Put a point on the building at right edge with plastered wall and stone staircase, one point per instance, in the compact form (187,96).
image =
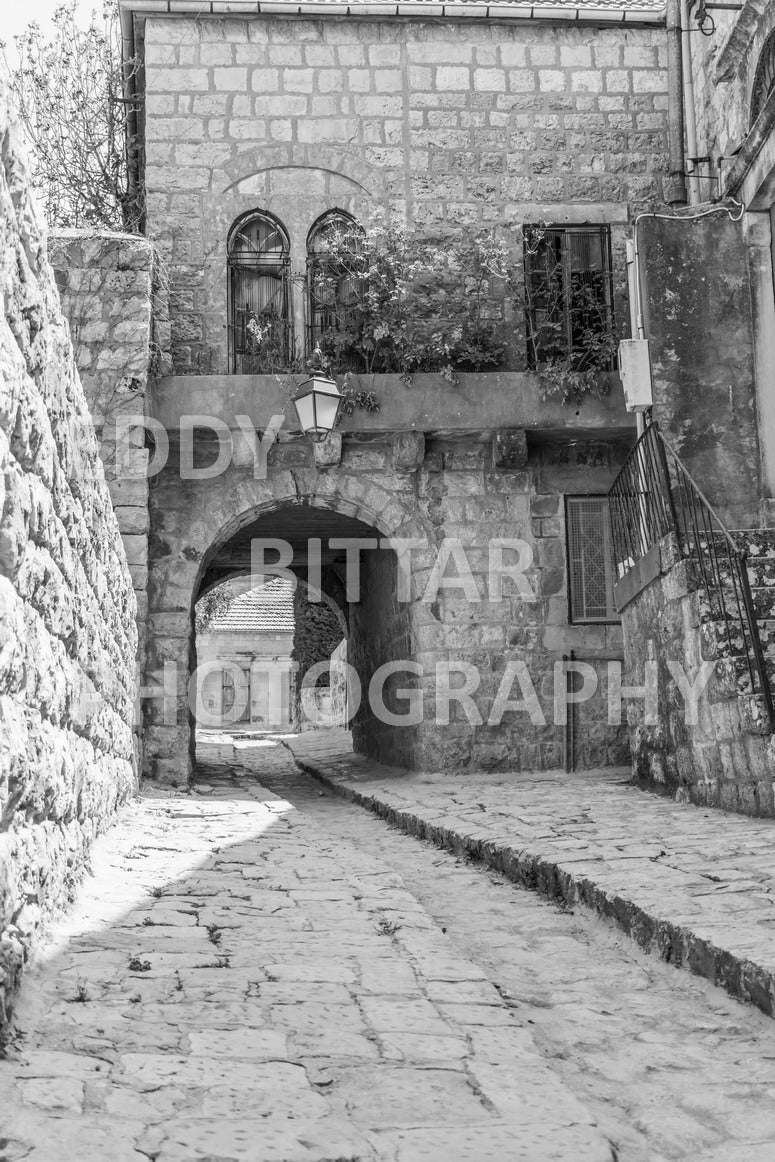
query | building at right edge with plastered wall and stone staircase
(709,313)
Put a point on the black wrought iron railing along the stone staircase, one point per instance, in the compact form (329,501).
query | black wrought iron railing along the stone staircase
(655,496)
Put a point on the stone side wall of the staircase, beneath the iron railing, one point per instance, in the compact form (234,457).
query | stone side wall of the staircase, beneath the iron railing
(727,758)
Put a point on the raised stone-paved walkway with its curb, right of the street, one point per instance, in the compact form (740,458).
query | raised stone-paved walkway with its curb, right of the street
(694,886)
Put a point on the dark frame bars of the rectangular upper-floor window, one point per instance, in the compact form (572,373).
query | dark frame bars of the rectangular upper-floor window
(565,232)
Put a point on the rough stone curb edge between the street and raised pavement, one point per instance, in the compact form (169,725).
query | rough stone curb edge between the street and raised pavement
(676,944)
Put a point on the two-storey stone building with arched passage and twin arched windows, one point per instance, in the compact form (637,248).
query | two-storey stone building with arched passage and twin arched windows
(261,130)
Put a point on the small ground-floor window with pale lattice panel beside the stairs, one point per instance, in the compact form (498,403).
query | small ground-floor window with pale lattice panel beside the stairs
(591,560)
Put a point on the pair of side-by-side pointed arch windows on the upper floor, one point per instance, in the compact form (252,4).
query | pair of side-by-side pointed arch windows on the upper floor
(262,333)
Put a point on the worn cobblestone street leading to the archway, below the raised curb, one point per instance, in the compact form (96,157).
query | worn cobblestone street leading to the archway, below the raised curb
(242,980)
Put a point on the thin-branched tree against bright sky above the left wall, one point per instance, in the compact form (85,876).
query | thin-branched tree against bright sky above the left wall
(69,92)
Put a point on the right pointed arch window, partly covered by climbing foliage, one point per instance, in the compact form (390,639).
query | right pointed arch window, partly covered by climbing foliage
(336,281)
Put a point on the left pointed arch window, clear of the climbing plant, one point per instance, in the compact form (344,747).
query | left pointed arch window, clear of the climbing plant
(261,333)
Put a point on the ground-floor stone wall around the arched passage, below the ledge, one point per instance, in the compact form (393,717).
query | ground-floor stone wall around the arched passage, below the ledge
(450,491)
